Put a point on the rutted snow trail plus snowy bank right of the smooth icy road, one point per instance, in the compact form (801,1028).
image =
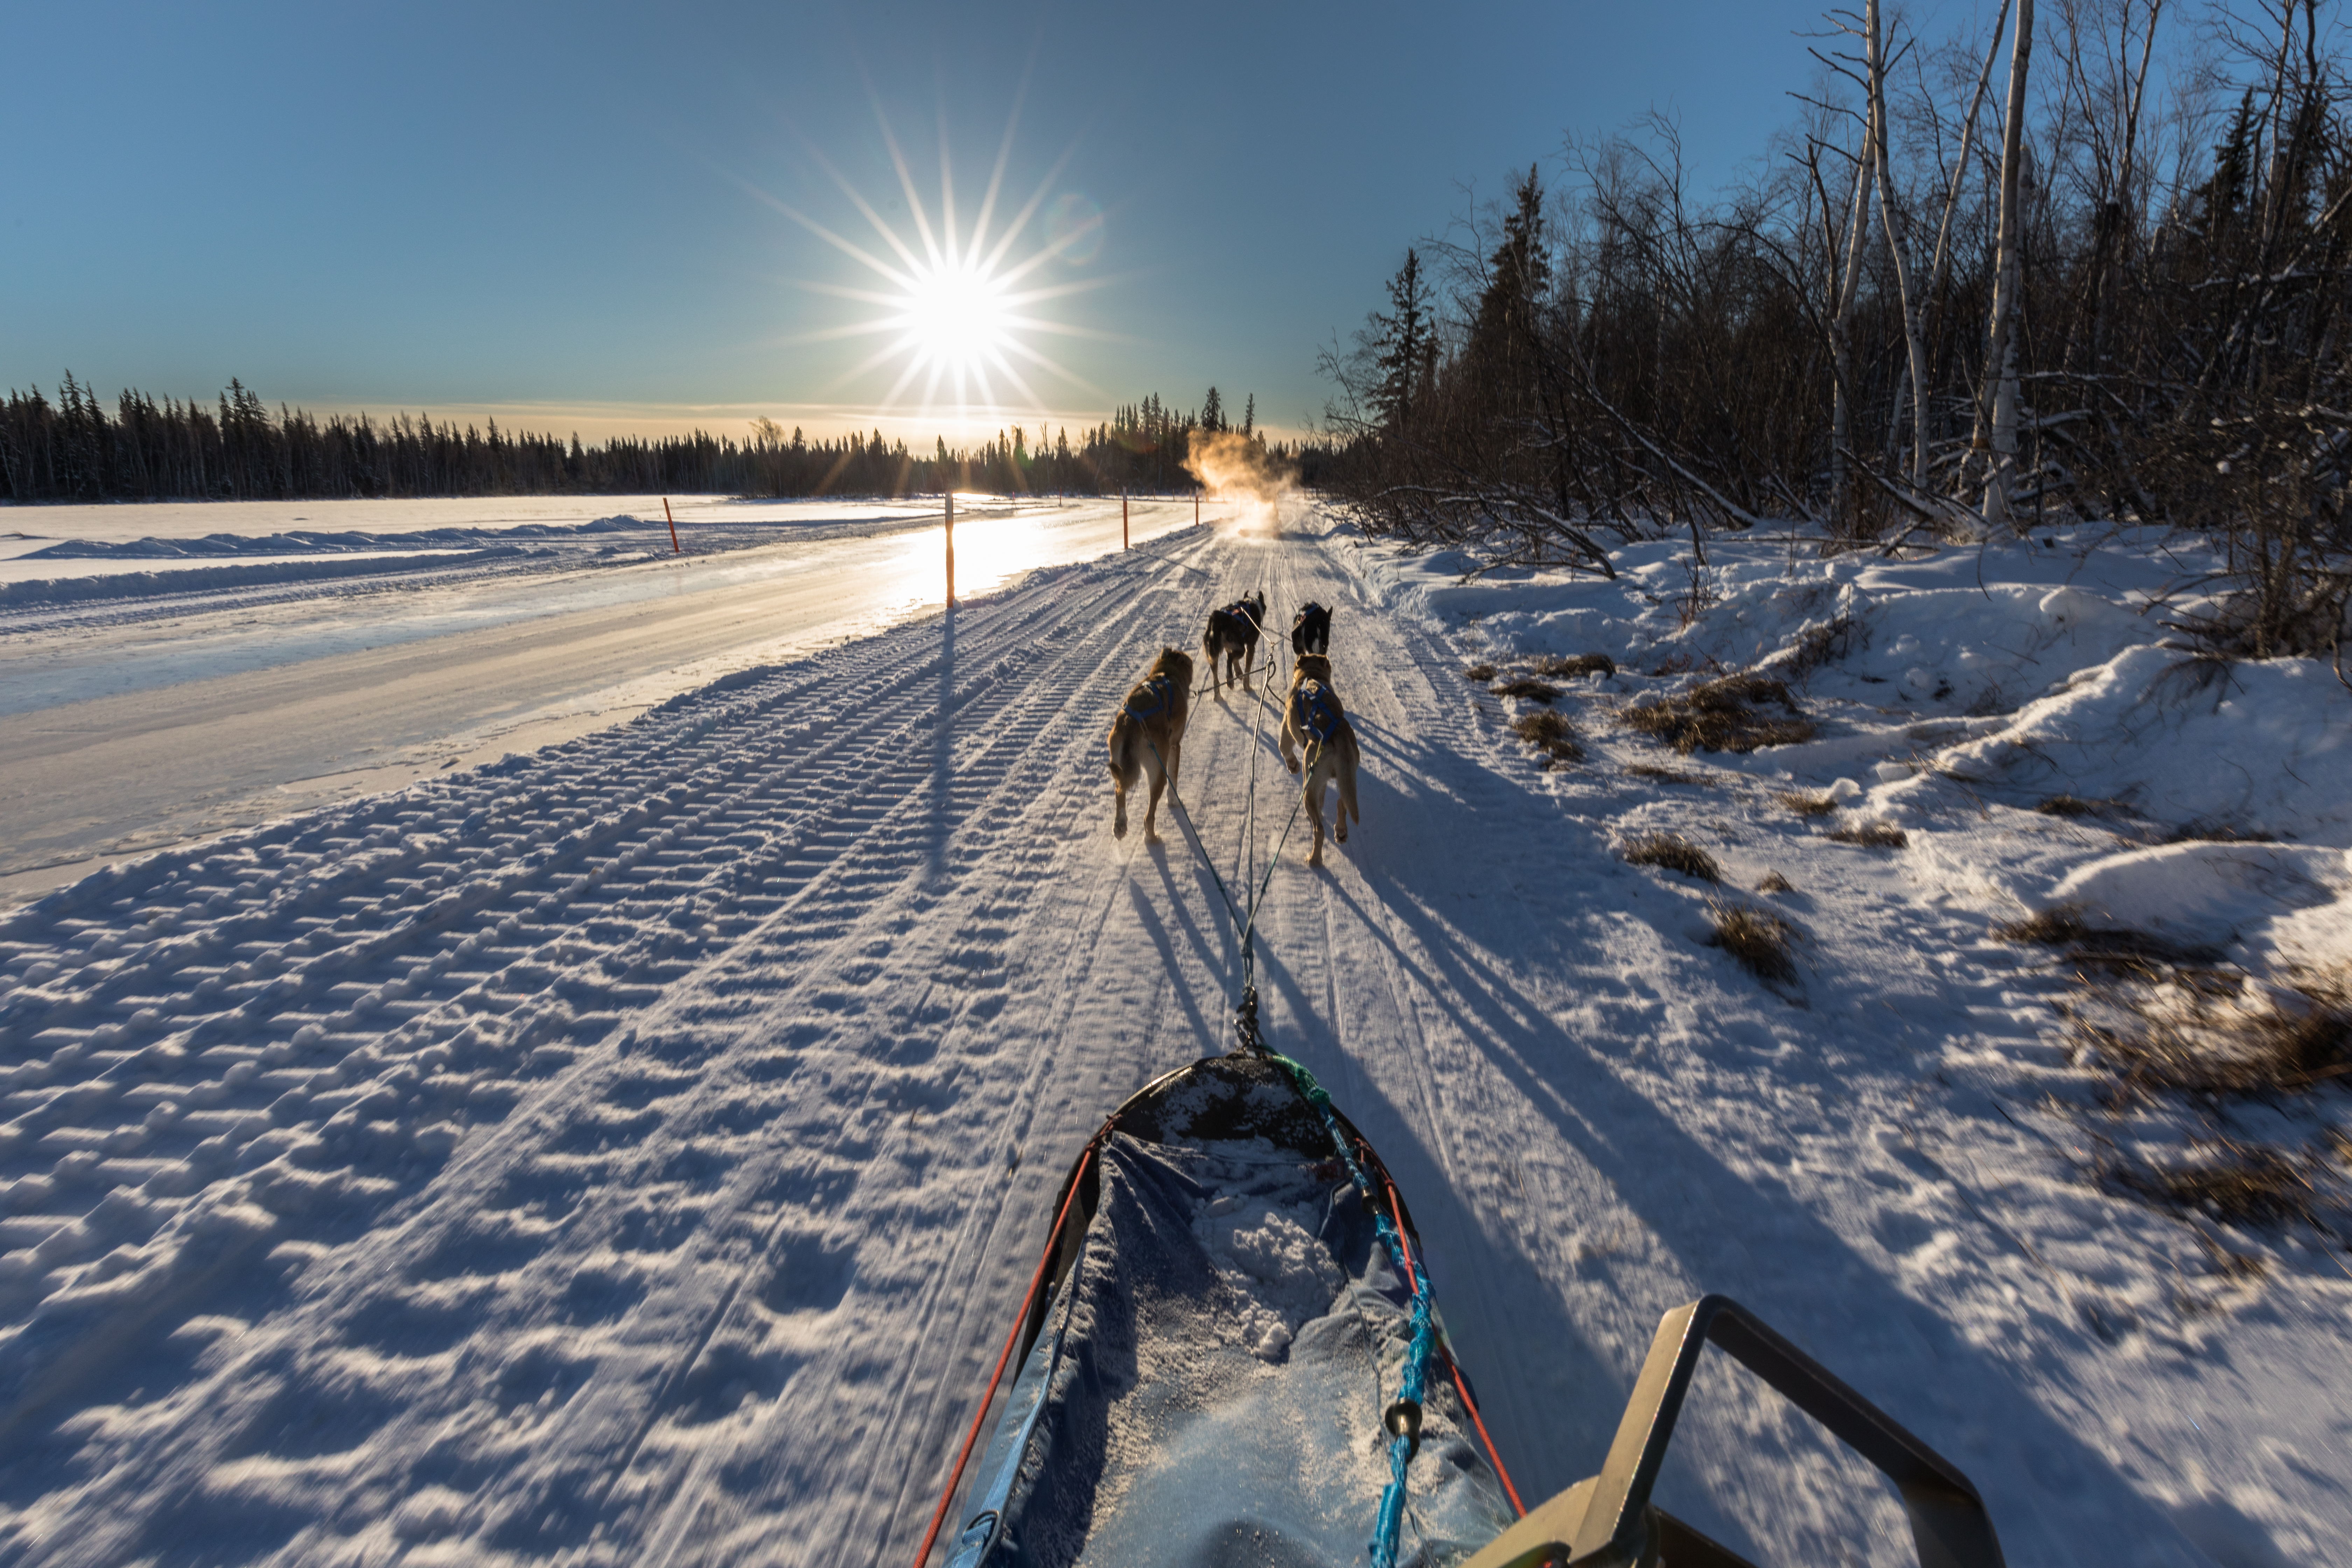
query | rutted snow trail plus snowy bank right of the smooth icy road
(634,1153)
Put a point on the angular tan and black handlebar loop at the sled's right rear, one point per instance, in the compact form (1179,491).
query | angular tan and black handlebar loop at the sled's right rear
(1608,1520)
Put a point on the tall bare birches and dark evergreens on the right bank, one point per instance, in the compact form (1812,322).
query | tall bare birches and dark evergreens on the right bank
(1986,281)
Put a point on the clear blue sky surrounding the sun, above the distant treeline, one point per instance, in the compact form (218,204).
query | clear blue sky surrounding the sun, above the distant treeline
(570,215)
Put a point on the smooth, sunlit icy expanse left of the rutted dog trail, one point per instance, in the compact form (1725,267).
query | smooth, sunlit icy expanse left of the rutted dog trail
(149,713)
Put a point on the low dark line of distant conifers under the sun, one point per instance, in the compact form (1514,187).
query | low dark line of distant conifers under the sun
(236,450)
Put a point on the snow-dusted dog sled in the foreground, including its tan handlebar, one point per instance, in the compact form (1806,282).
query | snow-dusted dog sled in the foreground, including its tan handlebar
(1220,1367)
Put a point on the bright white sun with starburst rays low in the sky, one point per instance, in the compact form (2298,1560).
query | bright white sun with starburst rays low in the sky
(958,302)
